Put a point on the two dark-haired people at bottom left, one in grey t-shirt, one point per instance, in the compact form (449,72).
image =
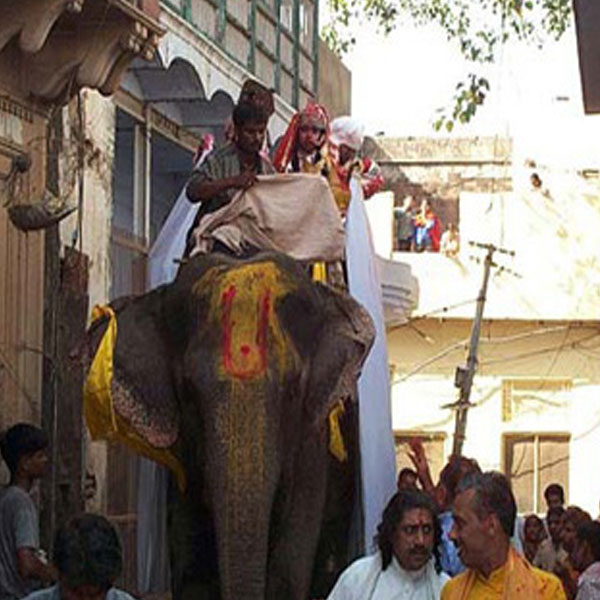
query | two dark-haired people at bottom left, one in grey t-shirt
(86,555)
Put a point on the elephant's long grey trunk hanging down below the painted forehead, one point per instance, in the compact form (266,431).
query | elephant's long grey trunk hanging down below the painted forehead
(243,475)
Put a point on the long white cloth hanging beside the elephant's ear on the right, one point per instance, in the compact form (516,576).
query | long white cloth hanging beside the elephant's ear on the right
(378,460)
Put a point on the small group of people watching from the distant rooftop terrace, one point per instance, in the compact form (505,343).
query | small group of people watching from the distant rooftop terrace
(420,230)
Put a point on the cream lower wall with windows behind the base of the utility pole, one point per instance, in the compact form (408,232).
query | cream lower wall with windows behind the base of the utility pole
(425,353)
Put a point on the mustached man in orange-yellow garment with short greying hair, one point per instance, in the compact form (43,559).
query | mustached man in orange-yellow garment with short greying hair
(484,512)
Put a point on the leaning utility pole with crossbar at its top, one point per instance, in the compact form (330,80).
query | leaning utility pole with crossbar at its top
(464,375)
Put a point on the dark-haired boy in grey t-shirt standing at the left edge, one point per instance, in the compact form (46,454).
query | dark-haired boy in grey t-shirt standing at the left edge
(23,448)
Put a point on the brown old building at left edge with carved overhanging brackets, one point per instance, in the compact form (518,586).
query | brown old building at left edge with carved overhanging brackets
(49,52)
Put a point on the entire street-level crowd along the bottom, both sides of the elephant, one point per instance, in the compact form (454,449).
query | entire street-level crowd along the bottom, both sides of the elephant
(457,539)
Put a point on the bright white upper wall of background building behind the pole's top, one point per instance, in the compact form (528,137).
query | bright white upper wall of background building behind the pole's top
(553,271)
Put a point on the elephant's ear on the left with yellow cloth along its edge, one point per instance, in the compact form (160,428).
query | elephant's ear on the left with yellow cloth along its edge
(140,408)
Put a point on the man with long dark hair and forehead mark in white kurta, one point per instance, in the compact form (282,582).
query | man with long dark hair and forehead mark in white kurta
(404,567)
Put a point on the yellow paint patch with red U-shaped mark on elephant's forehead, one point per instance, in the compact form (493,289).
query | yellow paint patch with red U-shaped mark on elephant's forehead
(242,304)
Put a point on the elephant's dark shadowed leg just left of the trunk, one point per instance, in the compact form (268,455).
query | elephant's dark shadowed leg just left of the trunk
(194,571)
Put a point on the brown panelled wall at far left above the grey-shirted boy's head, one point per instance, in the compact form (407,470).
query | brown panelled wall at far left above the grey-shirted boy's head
(22,130)
